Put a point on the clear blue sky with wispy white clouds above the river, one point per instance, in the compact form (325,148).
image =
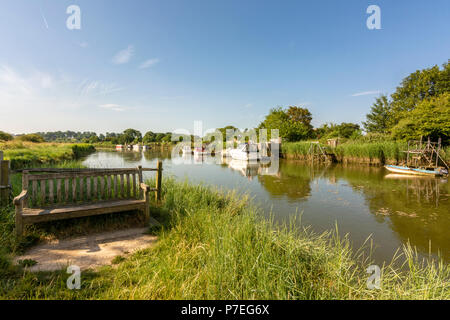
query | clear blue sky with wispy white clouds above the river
(161,65)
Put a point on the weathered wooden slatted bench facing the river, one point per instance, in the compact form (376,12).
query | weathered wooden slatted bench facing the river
(63,194)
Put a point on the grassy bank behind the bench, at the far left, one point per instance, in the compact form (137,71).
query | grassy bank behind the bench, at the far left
(27,154)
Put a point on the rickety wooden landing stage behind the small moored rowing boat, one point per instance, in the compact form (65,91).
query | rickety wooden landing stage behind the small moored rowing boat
(425,155)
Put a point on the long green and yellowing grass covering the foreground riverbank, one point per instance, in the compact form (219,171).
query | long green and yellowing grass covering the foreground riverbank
(215,245)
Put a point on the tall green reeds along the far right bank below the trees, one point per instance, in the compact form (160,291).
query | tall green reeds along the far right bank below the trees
(376,152)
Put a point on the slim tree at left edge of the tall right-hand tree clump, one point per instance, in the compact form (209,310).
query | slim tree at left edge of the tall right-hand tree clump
(379,118)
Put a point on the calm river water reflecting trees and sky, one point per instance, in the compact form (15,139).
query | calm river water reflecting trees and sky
(363,201)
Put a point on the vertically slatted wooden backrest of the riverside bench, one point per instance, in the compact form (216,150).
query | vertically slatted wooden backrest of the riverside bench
(90,185)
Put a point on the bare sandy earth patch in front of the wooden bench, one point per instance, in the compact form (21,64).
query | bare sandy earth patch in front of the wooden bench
(87,252)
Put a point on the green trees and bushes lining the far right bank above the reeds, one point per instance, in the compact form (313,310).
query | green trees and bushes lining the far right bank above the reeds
(420,107)
